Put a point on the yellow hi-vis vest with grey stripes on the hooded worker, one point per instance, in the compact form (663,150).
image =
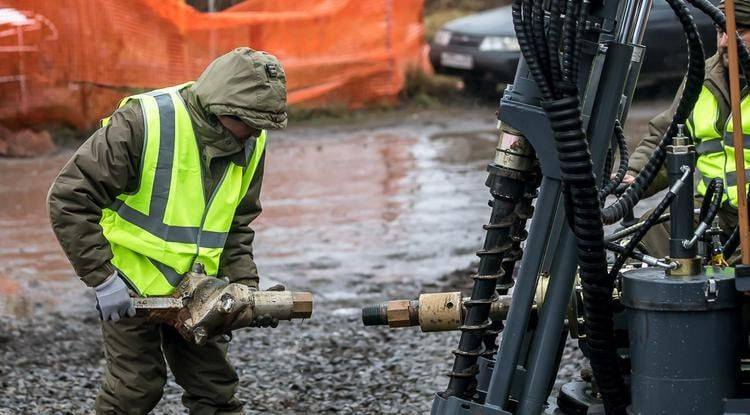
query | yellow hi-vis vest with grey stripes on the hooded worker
(158,232)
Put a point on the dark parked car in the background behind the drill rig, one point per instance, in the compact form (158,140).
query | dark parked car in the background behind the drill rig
(483,50)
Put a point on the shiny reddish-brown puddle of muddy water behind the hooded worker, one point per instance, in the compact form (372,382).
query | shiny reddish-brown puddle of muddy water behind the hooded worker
(340,210)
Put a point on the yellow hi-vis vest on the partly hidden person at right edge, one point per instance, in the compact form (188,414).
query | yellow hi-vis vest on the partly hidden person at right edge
(714,143)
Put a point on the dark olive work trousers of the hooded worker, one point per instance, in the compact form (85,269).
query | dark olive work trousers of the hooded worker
(136,371)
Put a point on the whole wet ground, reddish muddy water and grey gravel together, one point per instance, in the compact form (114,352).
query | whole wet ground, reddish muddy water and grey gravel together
(357,214)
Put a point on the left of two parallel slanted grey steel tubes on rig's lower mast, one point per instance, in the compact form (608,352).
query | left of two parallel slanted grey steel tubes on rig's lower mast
(523,293)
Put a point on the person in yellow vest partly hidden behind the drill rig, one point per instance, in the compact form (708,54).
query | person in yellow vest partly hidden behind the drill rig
(710,126)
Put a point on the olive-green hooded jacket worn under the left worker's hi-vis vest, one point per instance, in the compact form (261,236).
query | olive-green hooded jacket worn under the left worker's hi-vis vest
(245,83)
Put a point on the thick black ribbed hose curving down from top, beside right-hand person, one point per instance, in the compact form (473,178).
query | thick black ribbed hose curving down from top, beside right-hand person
(691,92)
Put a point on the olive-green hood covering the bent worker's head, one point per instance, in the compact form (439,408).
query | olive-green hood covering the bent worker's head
(245,83)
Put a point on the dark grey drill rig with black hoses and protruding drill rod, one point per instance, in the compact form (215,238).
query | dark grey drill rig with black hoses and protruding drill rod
(664,339)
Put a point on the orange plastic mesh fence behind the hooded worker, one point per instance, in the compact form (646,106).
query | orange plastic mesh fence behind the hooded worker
(69,61)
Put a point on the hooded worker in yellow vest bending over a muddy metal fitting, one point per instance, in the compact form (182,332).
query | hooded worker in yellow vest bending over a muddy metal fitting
(171,179)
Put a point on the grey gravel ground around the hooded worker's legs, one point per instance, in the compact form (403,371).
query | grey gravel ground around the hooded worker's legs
(330,364)
